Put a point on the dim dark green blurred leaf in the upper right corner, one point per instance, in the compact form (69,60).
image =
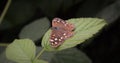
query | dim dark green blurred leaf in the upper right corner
(111,12)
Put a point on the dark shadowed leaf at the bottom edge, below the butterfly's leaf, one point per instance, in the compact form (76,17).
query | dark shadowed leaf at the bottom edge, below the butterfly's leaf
(71,55)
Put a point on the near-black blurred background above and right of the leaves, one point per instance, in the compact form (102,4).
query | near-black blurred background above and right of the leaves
(103,48)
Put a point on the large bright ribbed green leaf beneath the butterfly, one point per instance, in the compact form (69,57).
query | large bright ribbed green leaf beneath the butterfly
(85,28)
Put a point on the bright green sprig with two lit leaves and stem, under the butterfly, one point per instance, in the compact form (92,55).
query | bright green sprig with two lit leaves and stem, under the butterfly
(24,50)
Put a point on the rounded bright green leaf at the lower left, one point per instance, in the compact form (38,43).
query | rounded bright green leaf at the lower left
(22,51)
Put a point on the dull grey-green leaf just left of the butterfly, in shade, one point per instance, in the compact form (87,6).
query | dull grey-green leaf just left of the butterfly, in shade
(36,29)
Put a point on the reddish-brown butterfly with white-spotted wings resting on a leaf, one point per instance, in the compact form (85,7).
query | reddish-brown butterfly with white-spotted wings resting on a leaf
(61,30)
